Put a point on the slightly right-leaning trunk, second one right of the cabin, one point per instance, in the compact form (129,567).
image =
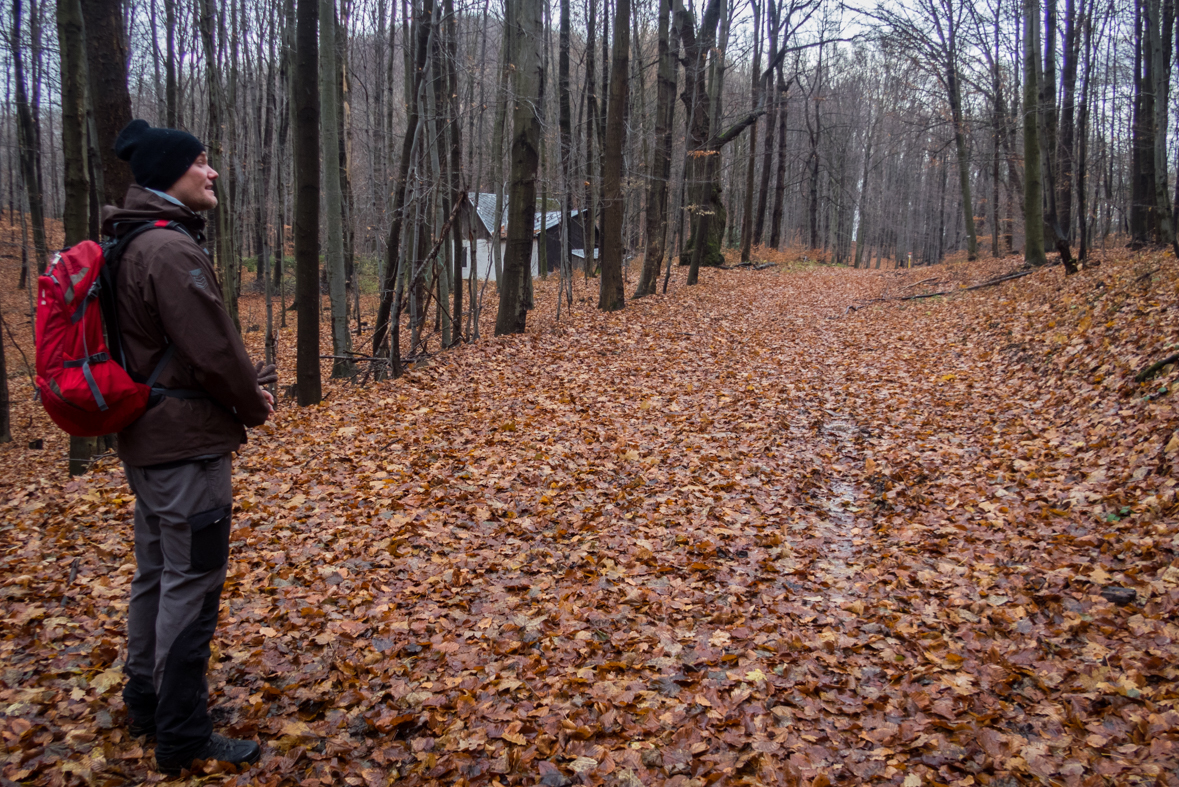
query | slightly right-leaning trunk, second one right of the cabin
(661,160)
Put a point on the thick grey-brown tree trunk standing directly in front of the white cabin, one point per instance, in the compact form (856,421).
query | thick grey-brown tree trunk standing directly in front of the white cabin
(526,23)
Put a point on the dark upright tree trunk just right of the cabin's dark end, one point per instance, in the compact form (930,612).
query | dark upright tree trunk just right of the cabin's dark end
(611,296)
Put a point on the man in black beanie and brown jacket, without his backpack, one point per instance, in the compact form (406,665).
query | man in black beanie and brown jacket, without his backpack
(177,455)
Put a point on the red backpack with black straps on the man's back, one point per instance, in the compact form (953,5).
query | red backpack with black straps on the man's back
(82,378)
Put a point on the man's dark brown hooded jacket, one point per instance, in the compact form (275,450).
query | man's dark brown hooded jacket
(168,292)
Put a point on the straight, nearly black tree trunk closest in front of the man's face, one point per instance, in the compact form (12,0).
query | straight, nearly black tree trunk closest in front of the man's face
(307,202)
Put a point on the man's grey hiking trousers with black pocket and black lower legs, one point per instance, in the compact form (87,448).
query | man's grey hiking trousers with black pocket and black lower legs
(183,515)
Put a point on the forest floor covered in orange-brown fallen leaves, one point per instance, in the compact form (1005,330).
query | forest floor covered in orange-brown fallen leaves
(740,533)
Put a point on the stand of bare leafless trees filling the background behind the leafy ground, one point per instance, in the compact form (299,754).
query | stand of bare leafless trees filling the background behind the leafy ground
(873,148)
